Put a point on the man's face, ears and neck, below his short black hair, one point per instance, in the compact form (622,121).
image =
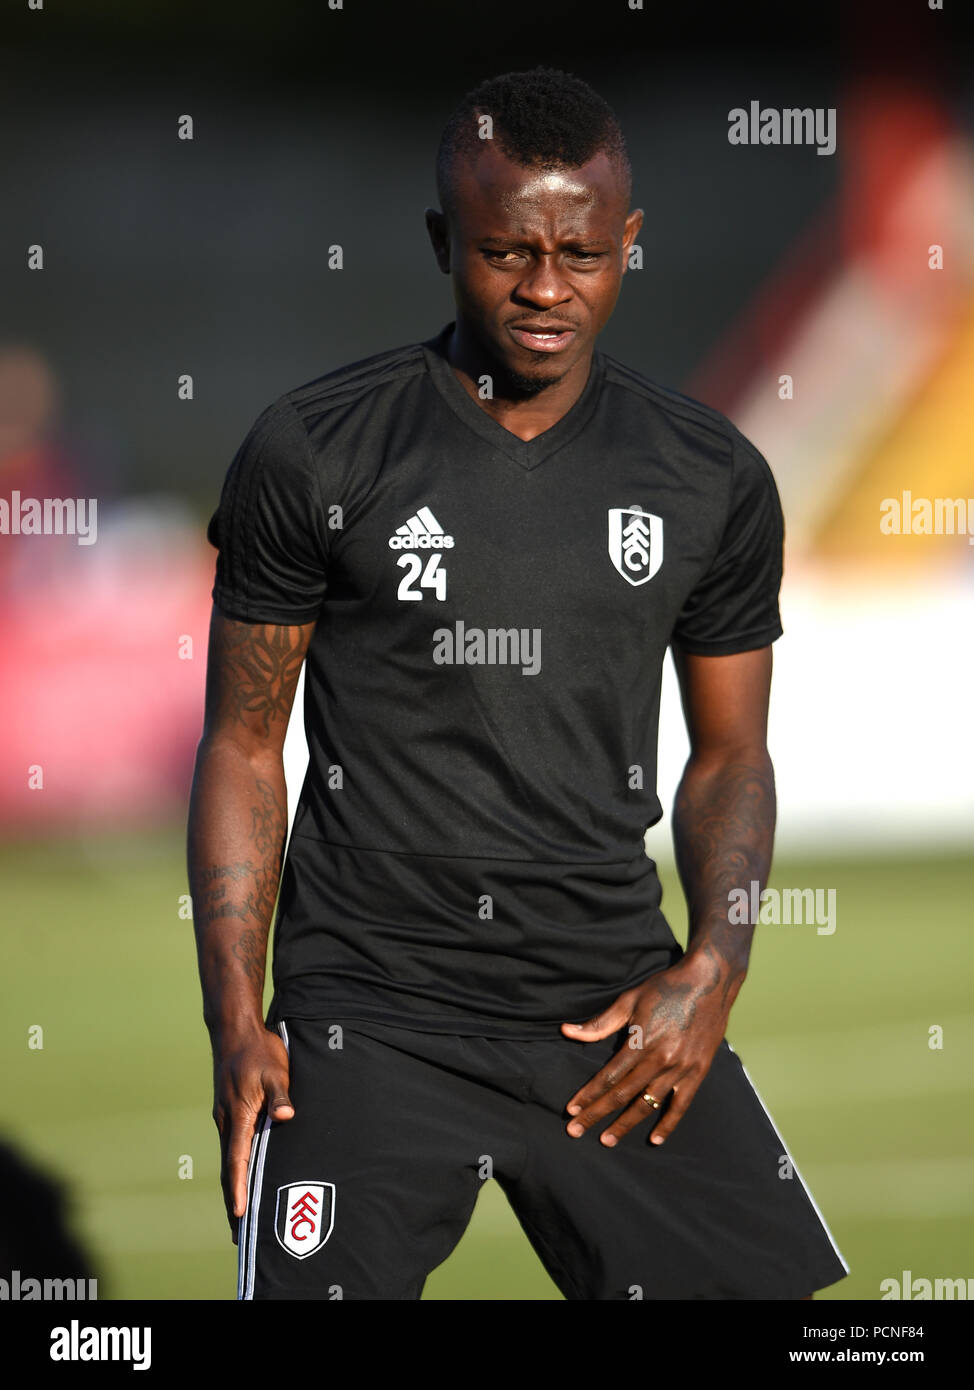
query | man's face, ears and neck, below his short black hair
(531,250)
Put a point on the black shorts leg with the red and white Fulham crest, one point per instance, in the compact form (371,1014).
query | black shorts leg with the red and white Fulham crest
(368,1188)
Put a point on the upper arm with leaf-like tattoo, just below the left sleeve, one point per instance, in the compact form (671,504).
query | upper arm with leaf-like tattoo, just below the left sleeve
(251,682)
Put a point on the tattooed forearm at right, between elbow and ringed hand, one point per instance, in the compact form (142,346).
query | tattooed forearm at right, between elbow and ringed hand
(725,836)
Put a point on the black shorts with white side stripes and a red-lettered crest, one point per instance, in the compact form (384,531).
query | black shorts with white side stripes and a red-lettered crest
(374,1179)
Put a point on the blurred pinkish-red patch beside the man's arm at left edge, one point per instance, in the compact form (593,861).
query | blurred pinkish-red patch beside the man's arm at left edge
(105,664)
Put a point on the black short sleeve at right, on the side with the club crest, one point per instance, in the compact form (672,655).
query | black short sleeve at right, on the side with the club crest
(734,608)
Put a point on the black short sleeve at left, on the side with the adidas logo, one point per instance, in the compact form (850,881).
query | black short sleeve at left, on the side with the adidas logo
(272,564)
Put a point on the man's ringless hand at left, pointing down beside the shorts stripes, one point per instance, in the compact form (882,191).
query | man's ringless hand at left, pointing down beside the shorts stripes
(251,1077)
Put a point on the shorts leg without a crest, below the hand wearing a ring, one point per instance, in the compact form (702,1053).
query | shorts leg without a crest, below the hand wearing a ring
(719,1211)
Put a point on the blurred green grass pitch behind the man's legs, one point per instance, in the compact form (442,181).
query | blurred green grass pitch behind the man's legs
(833,1029)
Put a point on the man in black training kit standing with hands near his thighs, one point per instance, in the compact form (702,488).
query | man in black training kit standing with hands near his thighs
(484,546)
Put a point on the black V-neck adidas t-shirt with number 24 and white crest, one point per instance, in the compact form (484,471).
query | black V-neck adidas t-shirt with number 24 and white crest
(483,685)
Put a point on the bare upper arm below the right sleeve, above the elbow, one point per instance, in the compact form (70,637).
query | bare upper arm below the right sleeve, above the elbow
(726,700)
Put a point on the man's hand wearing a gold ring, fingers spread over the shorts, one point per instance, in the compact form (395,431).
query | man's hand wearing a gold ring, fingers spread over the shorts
(676,1022)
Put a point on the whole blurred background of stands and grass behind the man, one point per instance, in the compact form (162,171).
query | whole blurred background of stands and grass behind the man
(160,291)
